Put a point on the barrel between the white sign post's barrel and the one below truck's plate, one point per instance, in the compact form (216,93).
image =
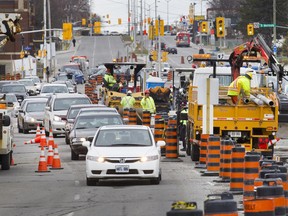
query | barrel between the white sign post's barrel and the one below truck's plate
(225,159)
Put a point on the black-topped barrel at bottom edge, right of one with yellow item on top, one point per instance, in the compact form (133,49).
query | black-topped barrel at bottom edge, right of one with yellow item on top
(221,205)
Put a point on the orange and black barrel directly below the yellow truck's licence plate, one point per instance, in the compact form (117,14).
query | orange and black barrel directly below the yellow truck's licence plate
(237,168)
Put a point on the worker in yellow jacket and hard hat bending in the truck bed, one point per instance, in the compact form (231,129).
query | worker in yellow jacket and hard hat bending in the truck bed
(241,87)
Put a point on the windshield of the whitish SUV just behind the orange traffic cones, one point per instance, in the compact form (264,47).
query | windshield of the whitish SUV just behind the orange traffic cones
(65,103)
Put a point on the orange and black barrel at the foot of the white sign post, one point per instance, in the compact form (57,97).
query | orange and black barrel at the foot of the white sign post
(213,154)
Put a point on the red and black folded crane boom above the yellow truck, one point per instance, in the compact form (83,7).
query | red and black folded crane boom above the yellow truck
(256,45)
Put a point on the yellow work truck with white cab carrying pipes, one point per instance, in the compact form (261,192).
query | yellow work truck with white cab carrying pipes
(252,123)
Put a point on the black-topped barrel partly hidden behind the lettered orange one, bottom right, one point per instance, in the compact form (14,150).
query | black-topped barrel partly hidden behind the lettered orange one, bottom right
(274,192)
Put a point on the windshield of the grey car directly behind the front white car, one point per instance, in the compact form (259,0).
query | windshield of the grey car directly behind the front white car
(92,121)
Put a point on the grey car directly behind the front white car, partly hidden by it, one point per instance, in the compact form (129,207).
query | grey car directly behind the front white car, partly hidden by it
(85,127)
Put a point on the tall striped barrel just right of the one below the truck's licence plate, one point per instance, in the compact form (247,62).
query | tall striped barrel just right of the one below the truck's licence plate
(251,170)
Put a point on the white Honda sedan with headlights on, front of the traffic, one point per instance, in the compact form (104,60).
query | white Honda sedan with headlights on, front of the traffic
(123,151)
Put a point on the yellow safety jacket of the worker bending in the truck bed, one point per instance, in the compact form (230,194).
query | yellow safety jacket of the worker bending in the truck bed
(239,85)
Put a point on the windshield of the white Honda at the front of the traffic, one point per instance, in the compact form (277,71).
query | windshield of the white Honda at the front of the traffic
(123,137)
